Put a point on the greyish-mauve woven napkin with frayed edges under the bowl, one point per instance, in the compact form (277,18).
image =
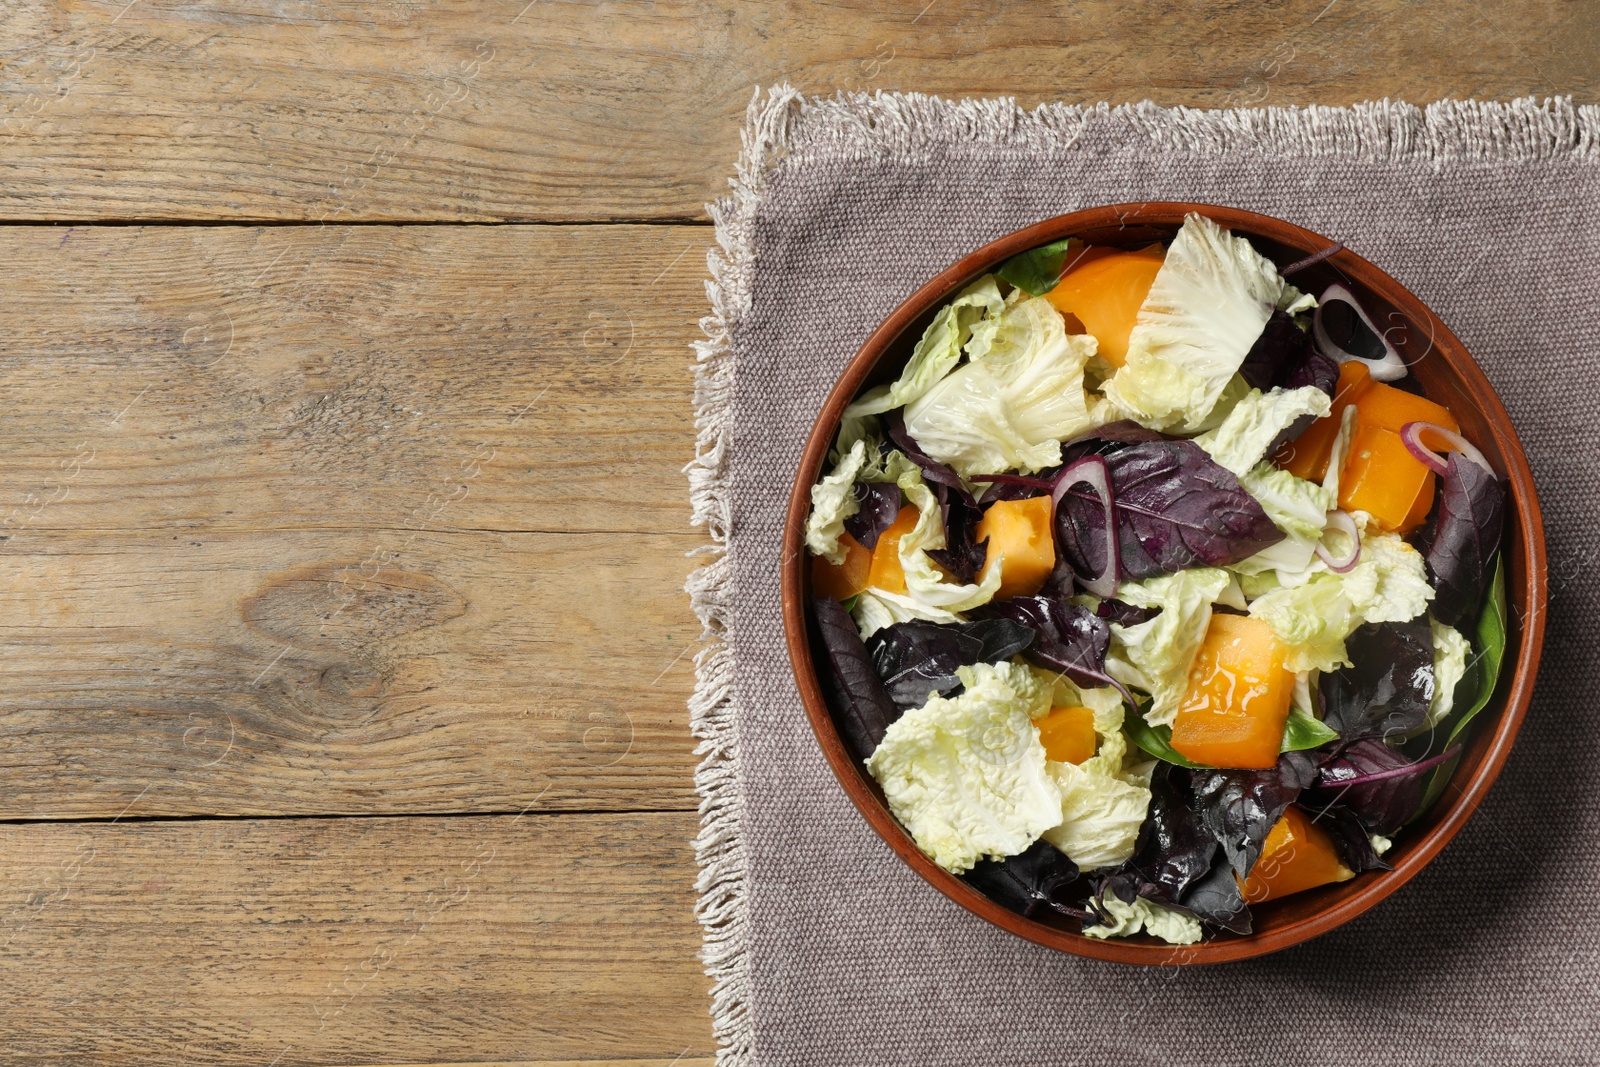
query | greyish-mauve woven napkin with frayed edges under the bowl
(826,949)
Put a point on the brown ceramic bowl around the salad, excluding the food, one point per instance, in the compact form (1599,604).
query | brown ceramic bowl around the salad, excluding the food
(1446,372)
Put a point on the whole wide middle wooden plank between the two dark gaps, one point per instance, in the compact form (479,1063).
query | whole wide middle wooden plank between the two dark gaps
(402,532)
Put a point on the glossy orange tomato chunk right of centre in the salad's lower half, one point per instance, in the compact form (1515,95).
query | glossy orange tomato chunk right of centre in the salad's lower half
(1239,697)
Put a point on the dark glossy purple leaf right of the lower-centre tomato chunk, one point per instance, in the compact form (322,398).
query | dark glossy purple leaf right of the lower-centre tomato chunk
(1388,689)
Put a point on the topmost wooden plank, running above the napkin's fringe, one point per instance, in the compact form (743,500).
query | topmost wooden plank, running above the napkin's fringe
(572,110)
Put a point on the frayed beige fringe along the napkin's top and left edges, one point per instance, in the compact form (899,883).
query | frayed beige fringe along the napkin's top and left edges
(911,127)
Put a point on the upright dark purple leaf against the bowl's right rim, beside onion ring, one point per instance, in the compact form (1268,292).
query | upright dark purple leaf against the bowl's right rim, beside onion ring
(1462,538)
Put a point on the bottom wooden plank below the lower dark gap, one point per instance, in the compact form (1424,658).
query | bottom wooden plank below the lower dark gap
(353,941)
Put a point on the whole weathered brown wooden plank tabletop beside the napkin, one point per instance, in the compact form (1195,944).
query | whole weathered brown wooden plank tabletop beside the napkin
(345,391)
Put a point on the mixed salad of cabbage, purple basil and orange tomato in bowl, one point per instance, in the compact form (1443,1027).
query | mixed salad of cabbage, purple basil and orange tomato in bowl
(1154,589)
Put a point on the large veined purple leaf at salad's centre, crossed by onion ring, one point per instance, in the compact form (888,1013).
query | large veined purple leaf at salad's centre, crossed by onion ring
(1177,508)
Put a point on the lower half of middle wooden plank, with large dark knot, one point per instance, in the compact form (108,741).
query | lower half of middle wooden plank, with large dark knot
(321,673)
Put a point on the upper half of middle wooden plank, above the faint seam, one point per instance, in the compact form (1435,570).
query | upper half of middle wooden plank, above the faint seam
(404,378)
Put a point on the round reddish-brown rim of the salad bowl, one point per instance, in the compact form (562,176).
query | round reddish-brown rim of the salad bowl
(1527,527)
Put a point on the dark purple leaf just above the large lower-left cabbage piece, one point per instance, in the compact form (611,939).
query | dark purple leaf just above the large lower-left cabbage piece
(918,660)
